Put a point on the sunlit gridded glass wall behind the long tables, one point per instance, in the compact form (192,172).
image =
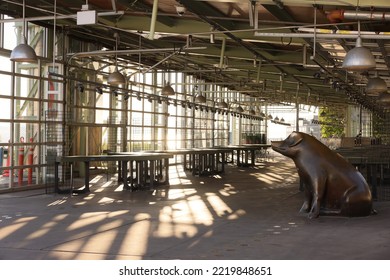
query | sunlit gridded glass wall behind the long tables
(50,109)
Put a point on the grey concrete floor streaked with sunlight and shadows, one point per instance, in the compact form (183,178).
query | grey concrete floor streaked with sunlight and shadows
(246,213)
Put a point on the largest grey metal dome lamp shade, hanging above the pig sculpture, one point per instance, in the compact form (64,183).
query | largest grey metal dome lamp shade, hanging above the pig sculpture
(359,59)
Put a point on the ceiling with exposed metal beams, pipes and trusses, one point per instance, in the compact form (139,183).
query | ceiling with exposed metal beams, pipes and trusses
(271,49)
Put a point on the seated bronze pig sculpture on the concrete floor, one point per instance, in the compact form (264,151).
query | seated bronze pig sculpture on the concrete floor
(332,185)
